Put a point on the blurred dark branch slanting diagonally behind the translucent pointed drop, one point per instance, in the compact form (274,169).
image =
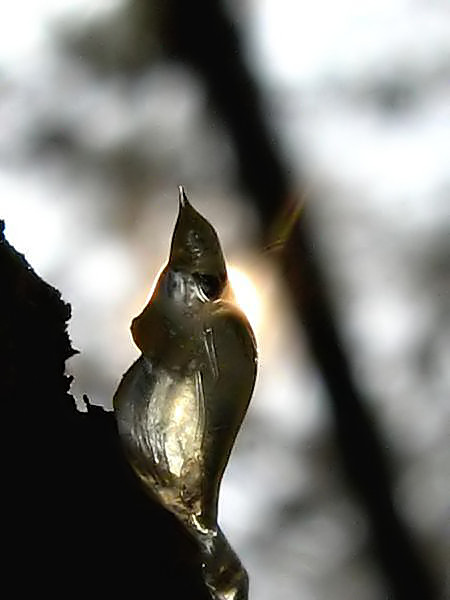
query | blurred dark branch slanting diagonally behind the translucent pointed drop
(203,36)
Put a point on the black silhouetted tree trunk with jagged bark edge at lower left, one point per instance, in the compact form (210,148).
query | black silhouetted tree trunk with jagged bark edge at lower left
(75,519)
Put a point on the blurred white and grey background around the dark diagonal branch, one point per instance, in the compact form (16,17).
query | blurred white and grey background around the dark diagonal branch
(103,114)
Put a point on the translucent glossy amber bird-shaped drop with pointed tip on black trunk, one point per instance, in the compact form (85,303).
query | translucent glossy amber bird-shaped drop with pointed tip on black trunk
(180,405)
